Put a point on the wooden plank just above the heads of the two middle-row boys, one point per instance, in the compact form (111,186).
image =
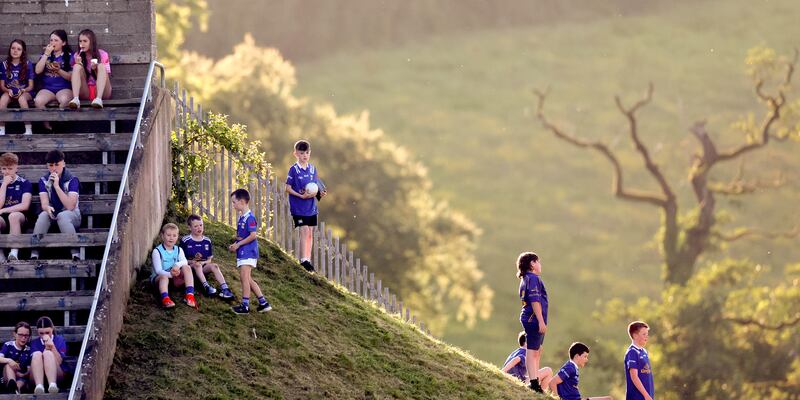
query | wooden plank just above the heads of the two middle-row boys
(76,142)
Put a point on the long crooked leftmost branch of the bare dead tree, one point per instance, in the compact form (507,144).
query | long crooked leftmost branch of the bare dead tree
(617,179)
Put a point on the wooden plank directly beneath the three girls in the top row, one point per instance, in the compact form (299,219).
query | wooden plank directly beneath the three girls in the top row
(83,114)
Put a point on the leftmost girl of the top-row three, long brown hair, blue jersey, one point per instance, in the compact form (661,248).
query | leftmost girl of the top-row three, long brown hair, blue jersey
(17,80)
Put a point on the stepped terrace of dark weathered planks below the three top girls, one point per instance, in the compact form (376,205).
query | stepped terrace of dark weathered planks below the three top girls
(95,143)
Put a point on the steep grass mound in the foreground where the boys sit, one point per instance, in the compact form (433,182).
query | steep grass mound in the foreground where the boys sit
(319,342)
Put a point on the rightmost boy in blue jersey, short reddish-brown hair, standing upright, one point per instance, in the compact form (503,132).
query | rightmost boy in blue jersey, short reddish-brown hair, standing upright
(638,373)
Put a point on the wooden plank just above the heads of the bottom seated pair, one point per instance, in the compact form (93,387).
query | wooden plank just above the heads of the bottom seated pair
(46,301)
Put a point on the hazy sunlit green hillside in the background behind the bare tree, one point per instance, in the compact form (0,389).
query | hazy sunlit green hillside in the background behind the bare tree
(462,104)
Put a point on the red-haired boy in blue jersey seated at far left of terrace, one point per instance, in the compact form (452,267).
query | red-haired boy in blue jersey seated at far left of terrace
(15,200)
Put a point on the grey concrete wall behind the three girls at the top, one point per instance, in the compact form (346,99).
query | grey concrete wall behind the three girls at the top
(124,28)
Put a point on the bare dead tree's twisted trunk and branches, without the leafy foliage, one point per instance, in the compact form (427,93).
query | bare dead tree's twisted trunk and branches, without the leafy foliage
(683,245)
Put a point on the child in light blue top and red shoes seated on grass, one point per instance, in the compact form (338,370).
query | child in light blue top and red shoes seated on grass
(169,264)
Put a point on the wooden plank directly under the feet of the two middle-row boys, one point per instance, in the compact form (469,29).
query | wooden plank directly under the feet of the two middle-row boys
(26,269)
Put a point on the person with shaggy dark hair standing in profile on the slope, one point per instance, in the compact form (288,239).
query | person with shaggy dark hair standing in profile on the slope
(534,311)
